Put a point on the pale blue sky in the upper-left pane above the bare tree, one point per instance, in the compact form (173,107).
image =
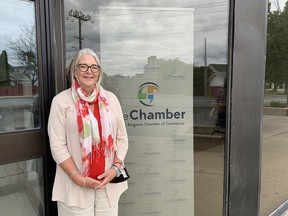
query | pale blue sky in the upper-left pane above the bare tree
(13,15)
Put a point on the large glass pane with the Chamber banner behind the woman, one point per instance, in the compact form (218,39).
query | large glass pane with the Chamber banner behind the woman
(166,61)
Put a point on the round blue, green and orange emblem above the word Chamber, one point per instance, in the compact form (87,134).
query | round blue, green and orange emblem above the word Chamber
(146,93)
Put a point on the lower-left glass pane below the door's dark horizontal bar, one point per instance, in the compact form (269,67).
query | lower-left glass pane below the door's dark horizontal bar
(21,188)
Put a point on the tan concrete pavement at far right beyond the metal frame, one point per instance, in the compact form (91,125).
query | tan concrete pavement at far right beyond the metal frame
(274,187)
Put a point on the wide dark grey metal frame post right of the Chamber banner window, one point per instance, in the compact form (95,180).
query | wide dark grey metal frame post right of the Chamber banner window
(247,50)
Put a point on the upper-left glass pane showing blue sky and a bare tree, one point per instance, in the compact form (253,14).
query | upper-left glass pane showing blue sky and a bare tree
(19,99)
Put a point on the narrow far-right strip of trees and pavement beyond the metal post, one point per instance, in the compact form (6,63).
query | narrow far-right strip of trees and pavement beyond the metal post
(274,190)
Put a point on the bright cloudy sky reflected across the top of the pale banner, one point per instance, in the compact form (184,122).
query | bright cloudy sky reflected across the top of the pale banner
(128,35)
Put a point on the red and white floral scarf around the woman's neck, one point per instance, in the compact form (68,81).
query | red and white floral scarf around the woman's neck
(88,125)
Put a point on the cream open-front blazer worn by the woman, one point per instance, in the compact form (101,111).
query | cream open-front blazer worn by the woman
(64,143)
